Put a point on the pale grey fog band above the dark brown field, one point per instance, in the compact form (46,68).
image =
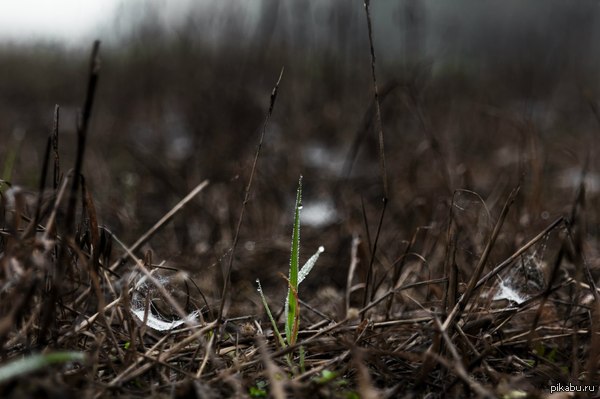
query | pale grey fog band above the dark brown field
(549,31)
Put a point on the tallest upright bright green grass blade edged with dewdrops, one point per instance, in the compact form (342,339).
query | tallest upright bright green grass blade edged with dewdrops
(291,304)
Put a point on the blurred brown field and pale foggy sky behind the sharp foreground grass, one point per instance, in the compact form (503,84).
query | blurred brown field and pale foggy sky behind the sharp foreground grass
(479,95)
